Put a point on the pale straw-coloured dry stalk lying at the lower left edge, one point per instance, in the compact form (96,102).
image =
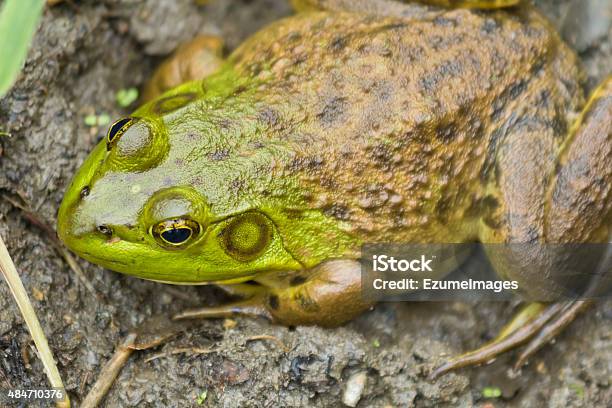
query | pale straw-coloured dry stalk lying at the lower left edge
(7,267)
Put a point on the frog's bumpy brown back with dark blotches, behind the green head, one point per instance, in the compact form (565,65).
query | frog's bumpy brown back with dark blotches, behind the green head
(379,107)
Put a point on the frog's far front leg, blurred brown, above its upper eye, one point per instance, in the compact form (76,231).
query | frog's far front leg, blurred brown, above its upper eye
(193,60)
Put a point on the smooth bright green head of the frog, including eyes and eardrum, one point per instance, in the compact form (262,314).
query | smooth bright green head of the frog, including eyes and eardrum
(190,189)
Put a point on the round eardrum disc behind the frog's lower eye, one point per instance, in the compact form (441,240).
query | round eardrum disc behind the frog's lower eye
(246,236)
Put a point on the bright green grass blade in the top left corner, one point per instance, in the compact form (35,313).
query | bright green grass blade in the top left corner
(18,22)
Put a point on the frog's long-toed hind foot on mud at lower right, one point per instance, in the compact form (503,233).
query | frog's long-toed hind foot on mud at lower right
(536,325)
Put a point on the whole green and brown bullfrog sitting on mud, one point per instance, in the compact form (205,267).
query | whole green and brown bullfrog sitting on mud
(347,123)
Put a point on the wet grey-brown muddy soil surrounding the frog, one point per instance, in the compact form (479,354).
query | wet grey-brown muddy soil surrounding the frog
(83,53)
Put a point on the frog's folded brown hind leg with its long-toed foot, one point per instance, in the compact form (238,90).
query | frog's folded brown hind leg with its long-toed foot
(574,205)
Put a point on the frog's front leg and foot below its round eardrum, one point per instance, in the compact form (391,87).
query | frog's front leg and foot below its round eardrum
(328,295)
